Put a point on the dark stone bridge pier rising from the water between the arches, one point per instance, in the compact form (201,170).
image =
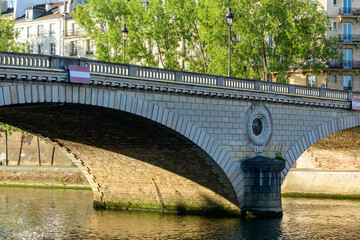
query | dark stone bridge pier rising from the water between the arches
(262,186)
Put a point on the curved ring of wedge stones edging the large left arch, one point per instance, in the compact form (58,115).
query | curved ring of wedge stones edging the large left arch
(111,98)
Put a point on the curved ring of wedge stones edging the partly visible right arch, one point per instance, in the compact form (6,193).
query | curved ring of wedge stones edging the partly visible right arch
(314,135)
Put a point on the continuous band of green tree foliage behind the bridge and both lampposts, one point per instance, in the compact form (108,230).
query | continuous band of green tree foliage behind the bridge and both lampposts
(267,35)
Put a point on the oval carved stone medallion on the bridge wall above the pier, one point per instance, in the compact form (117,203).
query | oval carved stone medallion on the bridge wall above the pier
(258,127)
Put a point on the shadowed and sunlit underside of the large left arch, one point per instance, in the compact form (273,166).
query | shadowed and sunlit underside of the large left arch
(136,162)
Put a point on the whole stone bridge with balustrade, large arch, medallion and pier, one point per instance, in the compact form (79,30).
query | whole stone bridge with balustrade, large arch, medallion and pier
(170,140)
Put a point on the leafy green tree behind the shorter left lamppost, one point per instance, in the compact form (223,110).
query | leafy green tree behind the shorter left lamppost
(154,34)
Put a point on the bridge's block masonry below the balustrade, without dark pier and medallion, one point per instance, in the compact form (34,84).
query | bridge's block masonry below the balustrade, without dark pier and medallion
(147,141)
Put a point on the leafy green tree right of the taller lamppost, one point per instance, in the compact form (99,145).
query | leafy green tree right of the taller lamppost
(282,37)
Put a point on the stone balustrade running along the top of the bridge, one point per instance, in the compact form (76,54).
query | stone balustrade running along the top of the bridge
(117,70)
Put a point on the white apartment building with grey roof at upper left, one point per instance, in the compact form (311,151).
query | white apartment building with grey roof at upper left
(49,29)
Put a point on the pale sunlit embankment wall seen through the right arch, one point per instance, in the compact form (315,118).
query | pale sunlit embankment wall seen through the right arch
(323,182)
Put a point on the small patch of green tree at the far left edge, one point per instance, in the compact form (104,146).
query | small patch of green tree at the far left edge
(8,36)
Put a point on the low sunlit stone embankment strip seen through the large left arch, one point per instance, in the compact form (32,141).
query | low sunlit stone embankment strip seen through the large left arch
(42,176)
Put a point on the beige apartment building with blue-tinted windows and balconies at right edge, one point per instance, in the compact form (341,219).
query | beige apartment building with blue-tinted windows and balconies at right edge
(340,74)
